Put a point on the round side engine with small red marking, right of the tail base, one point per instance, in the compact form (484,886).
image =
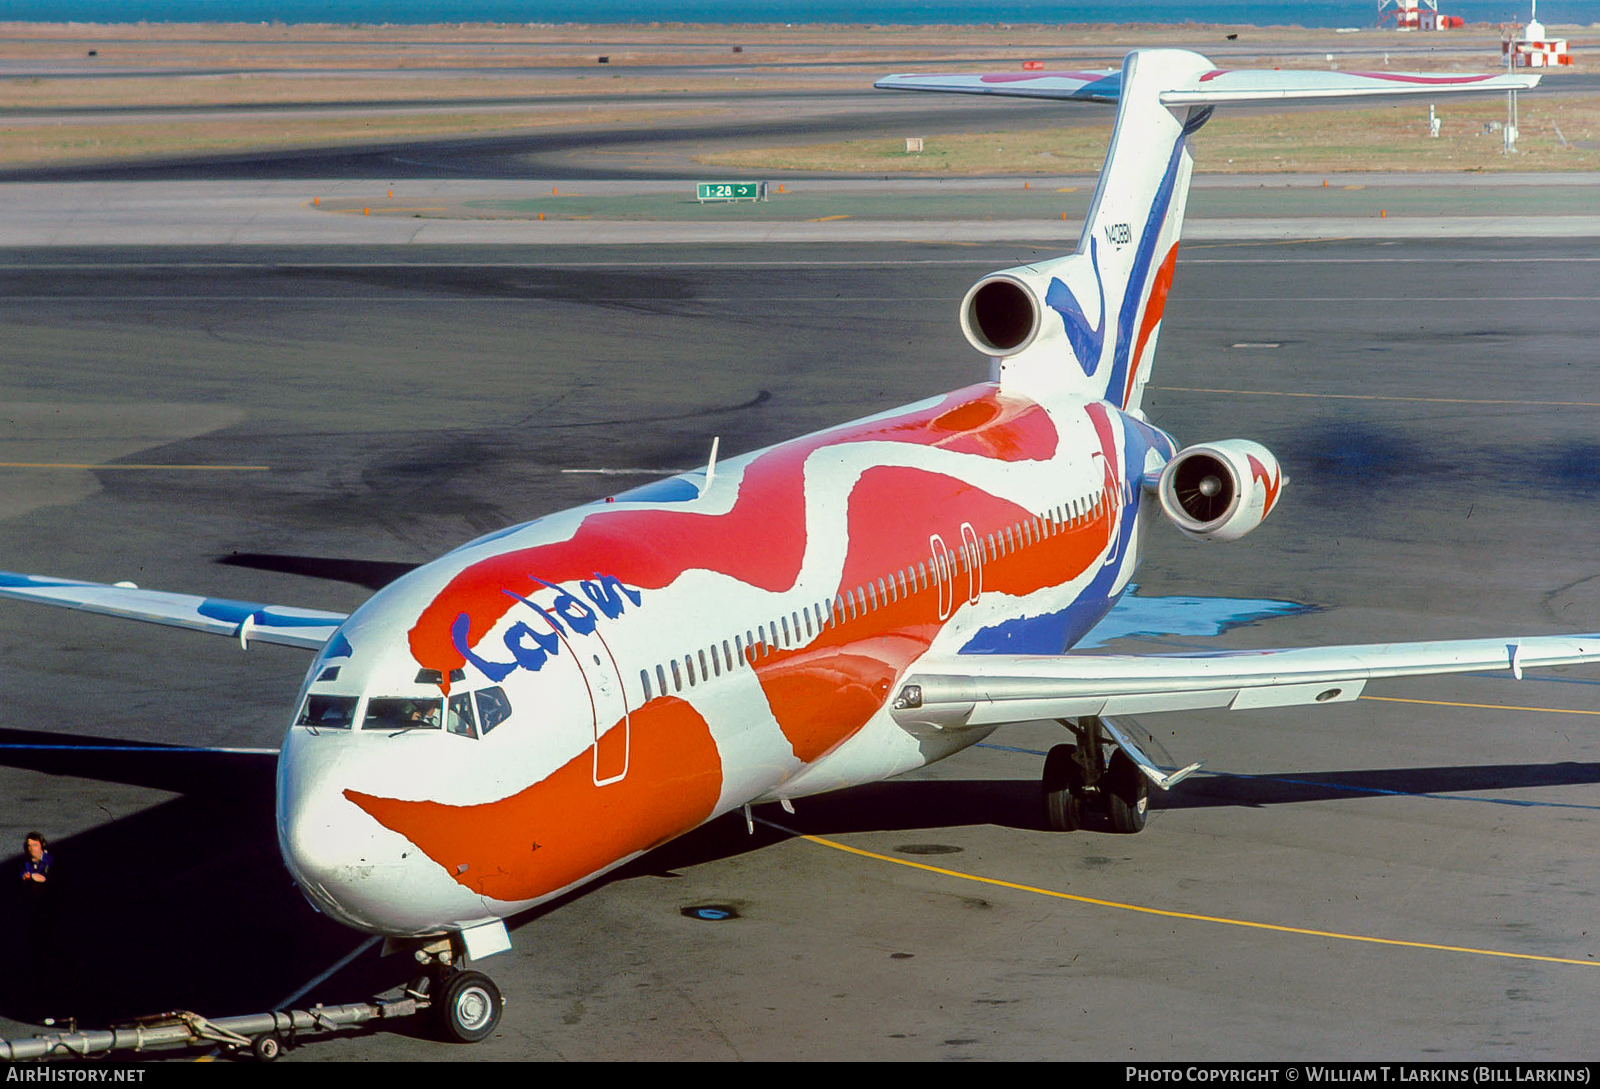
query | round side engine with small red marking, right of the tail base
(1222,492)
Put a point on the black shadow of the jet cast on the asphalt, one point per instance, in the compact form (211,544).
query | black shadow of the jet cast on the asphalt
(188,904)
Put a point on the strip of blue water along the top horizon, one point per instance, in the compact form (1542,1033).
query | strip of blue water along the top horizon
(1308,14)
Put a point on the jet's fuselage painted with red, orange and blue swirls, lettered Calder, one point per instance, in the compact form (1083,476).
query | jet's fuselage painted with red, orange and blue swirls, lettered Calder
(689,648)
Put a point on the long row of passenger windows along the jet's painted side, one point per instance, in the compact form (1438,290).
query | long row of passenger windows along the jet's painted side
(710,663)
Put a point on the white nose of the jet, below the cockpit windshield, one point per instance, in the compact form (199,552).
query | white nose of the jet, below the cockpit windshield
(351,868)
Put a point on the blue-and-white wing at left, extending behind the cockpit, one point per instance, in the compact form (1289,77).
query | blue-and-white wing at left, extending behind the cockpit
(246,621)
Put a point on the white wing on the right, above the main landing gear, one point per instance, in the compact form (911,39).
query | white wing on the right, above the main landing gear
(986,690)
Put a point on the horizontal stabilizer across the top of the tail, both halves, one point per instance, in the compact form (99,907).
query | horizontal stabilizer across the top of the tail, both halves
(1212,89)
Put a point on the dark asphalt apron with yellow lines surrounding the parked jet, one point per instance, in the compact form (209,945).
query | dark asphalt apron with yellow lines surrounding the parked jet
(1412,876)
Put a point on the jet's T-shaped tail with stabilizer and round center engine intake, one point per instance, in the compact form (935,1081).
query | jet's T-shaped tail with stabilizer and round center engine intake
(1087,322)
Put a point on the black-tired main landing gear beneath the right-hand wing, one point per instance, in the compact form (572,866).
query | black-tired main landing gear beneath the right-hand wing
(1081,780)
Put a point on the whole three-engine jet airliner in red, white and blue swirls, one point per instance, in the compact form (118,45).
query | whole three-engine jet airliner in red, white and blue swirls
(551,701)
